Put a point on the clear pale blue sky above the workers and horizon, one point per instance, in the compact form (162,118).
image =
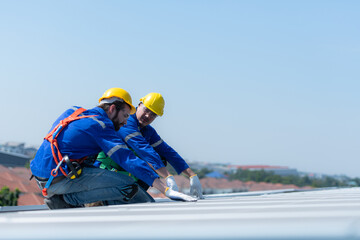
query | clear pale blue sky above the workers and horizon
(245,82)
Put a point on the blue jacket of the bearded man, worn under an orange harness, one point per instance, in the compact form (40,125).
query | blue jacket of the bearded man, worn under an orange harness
(87,137)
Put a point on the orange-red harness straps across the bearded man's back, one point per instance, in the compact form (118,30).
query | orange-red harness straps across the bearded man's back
(52,138)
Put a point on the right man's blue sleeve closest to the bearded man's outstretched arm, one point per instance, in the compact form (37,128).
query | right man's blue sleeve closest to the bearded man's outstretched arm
(135,140)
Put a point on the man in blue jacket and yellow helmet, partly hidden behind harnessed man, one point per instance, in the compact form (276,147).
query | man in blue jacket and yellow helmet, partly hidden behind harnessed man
(143,139)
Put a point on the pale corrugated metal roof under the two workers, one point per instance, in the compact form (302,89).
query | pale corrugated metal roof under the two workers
(322,214)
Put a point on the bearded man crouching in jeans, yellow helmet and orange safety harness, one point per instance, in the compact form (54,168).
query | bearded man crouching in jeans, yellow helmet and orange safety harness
(63,168)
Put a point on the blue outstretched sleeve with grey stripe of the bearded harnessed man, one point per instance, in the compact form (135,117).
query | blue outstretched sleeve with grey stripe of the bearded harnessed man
(115,148)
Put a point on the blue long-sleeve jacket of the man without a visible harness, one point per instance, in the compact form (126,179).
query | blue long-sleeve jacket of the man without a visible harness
(149,146)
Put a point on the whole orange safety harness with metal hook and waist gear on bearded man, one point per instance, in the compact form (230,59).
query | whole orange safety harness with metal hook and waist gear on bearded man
(73,165)
